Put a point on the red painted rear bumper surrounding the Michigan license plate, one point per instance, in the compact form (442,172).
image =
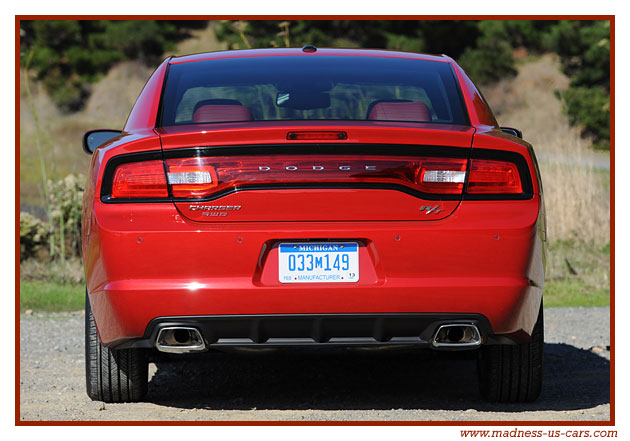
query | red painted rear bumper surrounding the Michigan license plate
(150,264)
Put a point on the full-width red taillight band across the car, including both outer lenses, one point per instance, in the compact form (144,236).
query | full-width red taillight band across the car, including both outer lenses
(202,177)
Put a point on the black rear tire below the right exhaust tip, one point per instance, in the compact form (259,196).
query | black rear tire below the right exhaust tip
(513,373)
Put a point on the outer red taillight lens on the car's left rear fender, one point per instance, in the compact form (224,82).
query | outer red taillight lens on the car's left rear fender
(139,180)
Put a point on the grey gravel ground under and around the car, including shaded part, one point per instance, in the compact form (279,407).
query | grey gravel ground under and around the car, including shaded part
(307,385)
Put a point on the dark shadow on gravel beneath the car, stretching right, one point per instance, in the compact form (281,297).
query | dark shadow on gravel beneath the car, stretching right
(352,379)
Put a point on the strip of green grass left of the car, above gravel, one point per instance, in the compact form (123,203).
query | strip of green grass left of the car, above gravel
(51,296)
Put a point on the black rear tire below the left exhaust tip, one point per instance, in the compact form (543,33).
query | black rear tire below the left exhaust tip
(112,376)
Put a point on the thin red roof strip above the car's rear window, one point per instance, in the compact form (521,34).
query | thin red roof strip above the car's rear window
(275,52)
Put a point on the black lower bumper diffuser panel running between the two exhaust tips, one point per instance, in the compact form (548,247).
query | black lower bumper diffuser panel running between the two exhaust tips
(281,330)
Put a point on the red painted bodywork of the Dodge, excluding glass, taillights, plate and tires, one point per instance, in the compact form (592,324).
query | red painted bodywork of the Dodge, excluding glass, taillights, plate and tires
(147,260)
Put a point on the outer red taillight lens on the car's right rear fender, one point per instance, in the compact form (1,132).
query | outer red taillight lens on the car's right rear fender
(494,177)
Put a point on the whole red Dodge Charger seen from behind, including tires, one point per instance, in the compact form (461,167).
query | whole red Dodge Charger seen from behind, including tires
(312,197)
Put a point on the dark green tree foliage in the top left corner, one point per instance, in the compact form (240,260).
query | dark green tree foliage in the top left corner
(68,55)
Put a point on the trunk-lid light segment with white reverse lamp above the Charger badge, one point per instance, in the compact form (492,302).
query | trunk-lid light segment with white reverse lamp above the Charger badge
(191,177)
